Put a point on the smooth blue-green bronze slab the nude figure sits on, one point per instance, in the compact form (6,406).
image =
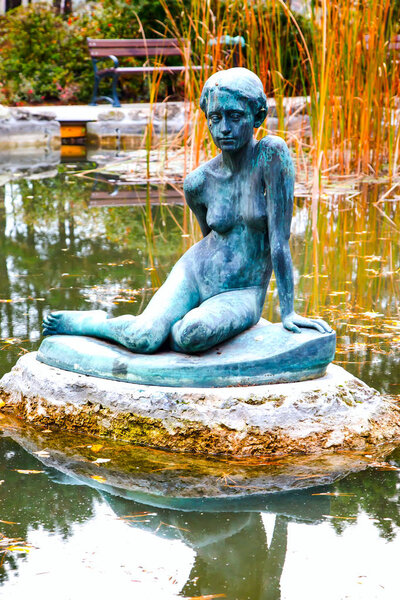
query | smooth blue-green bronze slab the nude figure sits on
(263,354)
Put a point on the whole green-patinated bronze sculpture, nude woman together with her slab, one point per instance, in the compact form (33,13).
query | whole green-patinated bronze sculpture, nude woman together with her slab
(243,202)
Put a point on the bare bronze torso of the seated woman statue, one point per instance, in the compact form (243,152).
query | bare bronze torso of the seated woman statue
(236,252)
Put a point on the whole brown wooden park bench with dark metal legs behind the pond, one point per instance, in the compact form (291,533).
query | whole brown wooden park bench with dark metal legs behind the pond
(158,49)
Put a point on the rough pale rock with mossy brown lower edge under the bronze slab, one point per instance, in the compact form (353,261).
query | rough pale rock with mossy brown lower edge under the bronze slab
(336,411)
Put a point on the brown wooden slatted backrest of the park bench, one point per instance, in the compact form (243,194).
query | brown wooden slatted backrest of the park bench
(138,47)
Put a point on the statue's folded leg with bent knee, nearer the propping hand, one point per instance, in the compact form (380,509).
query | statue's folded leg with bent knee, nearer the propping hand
(217,319)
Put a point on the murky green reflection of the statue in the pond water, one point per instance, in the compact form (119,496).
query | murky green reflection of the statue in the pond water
(234,557)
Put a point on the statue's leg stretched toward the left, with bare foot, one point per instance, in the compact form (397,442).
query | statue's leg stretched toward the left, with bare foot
(144,333)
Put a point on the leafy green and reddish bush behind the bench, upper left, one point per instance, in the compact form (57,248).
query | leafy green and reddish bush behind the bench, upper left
(44,57)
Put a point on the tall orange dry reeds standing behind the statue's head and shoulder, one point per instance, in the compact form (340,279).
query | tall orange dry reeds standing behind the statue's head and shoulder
(340,57)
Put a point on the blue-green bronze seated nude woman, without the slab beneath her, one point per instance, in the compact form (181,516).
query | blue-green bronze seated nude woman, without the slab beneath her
(243,201)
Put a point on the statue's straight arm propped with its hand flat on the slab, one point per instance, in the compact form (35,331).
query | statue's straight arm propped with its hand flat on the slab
(279,183)
